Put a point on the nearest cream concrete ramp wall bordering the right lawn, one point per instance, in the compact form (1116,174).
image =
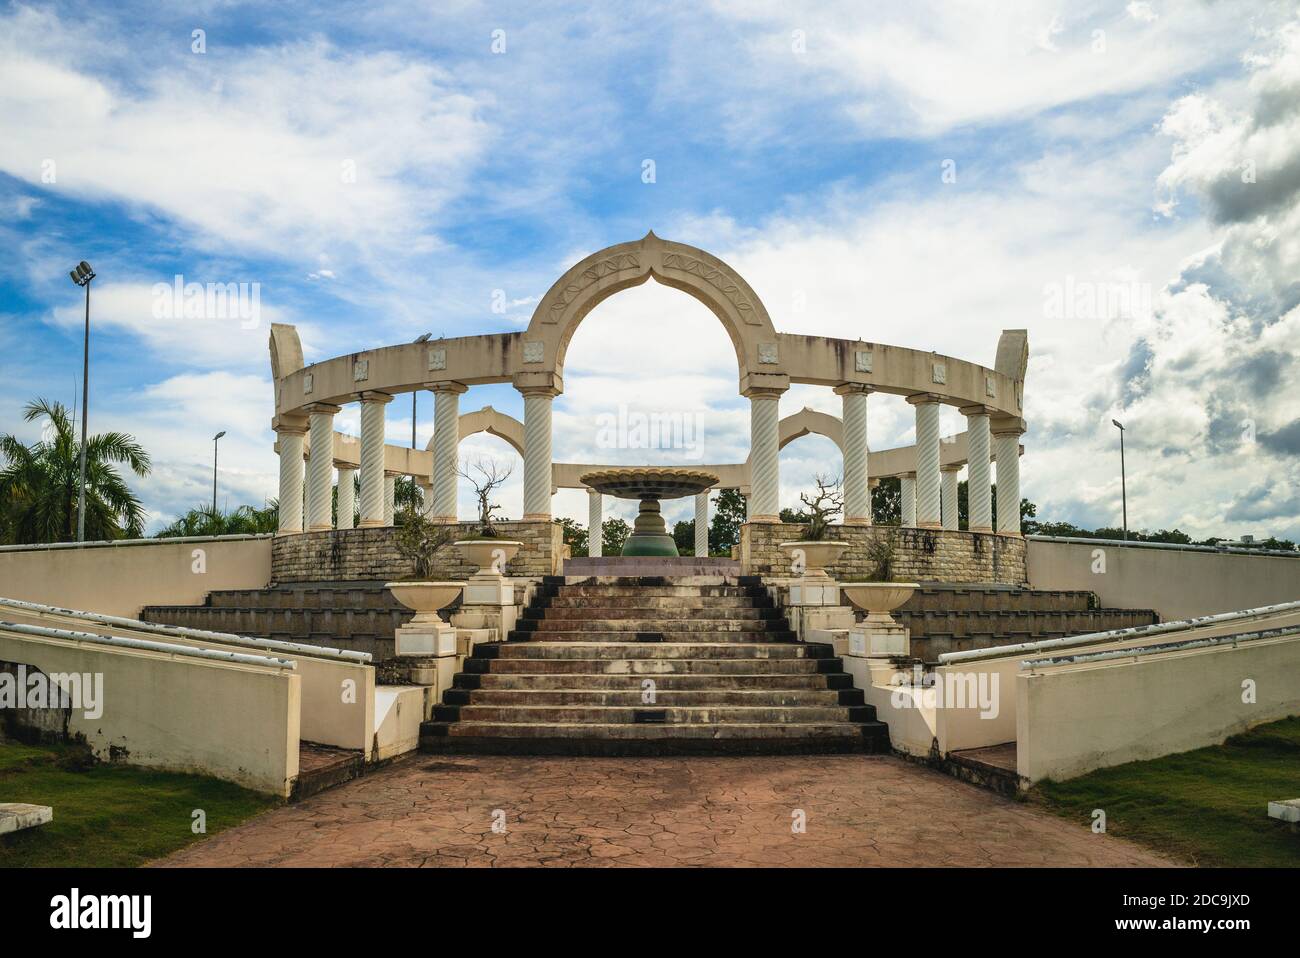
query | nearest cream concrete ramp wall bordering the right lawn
(1093,712)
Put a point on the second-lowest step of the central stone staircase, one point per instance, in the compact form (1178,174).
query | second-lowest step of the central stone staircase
(662,716)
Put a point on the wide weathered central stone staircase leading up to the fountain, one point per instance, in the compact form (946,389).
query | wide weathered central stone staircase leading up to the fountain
(653,666)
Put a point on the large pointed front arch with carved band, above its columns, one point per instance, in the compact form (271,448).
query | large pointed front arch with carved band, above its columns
(621,267)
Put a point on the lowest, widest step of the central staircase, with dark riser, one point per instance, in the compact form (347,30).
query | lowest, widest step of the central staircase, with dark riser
(626,739)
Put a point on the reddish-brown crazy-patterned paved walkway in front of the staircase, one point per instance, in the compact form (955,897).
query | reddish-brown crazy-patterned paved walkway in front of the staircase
(859,810)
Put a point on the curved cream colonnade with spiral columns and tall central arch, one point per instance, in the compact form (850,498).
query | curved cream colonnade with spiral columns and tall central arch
(307,397)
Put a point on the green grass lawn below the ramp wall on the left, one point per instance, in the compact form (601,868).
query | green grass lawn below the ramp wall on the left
(110,814)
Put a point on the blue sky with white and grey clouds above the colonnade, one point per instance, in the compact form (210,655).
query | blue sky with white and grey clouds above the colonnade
(1100,148)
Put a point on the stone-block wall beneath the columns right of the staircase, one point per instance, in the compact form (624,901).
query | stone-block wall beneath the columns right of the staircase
(922,556)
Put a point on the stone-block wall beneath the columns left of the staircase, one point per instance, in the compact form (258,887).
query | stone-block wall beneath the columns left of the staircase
(343,556)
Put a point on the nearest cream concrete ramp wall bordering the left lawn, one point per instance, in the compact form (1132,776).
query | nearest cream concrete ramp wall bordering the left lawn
(231,716)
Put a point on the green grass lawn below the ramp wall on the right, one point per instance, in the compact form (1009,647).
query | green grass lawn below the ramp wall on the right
(1207,807)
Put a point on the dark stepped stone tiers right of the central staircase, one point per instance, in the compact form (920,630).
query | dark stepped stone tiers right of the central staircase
(948,619)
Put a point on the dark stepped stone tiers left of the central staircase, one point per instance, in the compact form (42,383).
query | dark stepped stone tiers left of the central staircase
(361,617)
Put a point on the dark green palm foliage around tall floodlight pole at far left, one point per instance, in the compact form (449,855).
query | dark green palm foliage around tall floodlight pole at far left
(38,483)
